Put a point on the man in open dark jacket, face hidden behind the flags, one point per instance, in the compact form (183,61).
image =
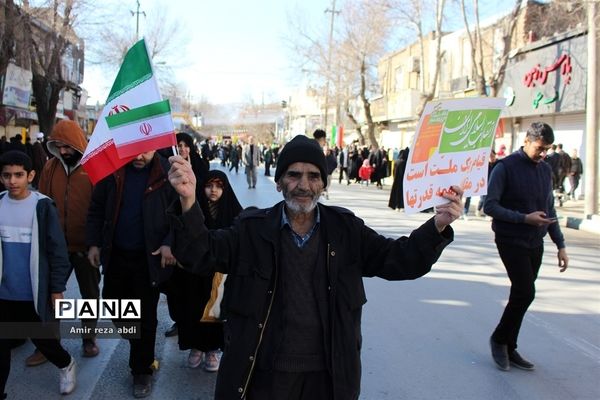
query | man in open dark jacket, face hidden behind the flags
(127,231)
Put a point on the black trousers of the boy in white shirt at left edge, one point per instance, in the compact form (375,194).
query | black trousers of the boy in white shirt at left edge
(24,311)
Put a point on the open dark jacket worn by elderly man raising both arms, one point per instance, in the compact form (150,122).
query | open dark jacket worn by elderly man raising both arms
(249,252)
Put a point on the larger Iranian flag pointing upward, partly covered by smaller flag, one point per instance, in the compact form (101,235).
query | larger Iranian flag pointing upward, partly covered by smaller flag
(135,86)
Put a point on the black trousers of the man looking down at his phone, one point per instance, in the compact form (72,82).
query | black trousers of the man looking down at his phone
(522,265)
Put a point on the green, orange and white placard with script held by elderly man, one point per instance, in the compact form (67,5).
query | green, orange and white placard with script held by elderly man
(451,147)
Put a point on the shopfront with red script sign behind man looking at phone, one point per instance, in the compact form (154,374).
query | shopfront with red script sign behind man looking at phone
(547,81)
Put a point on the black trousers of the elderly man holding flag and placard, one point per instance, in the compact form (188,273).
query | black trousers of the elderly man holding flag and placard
(277,385)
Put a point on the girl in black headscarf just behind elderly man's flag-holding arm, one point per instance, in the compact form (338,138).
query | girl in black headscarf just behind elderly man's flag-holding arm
(201,327)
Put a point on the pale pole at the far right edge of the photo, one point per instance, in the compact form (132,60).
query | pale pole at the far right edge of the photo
(592,109)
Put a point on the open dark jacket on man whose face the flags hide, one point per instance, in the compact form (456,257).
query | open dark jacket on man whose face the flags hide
(104,213)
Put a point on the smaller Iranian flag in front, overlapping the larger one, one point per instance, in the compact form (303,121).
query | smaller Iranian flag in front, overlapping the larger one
(142,129)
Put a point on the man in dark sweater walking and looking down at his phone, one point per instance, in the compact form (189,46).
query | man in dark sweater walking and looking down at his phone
(521,203)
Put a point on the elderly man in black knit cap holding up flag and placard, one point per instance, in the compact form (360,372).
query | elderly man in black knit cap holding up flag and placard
(294,290)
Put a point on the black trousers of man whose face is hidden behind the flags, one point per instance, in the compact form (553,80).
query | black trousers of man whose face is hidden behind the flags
(128,277)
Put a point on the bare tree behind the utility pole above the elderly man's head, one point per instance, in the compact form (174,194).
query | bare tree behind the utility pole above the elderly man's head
(363,32)
